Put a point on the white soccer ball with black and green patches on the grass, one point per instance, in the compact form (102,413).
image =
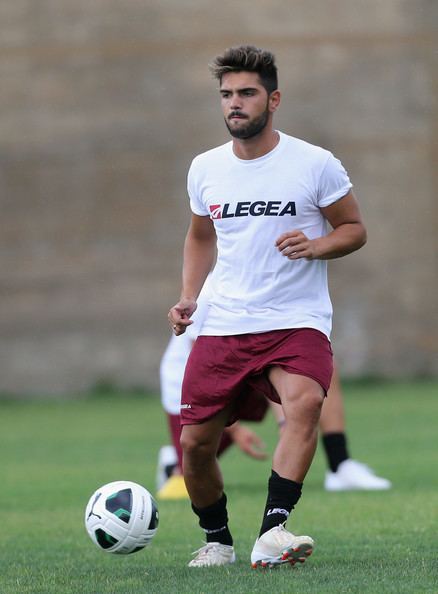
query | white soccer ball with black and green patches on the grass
(121,517)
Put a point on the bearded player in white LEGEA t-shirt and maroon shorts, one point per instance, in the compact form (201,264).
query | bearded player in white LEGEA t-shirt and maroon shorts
(264,201)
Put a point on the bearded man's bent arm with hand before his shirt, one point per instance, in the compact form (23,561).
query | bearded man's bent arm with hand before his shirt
(348,234)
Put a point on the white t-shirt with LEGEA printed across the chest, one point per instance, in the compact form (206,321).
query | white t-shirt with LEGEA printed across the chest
(251,203)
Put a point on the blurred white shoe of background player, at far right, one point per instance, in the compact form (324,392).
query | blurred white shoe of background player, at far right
(355,476)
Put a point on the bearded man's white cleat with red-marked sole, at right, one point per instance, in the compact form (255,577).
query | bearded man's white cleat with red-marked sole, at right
(278,546)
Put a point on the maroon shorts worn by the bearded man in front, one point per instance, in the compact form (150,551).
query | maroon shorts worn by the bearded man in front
(233,369)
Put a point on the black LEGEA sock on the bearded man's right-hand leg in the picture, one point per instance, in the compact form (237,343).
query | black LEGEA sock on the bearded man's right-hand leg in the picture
(283,494)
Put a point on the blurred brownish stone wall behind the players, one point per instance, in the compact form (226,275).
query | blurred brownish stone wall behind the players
(102,107)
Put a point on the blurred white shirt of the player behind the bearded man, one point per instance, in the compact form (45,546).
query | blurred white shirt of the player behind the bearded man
(174,359)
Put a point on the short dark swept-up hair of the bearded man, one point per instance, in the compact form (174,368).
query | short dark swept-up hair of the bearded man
(247,58)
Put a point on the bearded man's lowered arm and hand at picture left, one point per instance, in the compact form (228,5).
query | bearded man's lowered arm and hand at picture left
(199,256)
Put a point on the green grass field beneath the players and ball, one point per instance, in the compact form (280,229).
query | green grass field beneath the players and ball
(55,454)
